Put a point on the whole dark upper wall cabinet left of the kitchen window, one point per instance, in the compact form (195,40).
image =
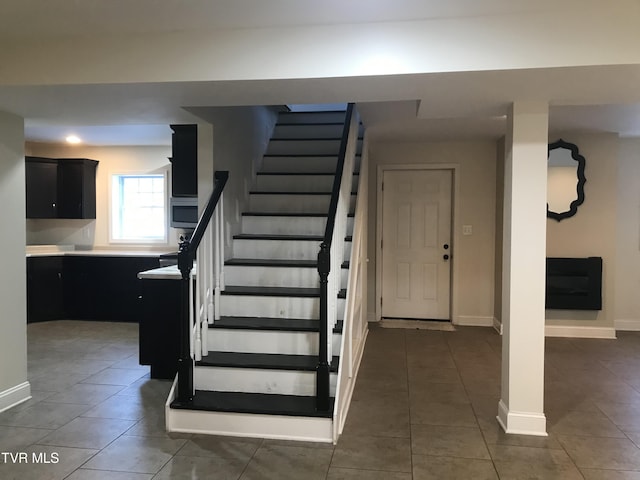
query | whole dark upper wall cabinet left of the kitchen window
(60,188)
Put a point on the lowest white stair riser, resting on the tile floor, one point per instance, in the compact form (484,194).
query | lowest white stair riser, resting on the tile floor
(310,429)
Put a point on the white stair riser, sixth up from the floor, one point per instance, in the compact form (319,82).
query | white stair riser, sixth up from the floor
(280,249)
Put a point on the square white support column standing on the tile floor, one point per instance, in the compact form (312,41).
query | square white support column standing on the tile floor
(520,410)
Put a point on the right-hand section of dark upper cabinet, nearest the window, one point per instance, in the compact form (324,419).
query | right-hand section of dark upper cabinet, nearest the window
(77,188)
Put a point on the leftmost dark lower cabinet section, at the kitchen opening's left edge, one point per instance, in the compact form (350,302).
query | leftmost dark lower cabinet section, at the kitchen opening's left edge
(45,300)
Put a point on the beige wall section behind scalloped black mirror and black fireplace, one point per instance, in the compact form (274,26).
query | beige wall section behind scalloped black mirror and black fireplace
(593,230)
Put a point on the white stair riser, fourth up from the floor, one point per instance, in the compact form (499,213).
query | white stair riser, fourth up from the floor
(269,306)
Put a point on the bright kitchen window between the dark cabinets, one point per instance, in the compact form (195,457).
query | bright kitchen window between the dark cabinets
(138,208)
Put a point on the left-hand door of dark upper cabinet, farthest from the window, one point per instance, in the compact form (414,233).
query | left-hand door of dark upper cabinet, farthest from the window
(41,176)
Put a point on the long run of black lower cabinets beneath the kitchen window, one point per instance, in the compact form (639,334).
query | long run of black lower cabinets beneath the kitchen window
(85,287)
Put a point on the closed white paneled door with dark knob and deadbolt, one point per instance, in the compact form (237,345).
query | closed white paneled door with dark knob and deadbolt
(416,244)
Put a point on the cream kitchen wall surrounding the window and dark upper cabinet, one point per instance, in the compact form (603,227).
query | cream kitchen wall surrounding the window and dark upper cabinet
(95,233)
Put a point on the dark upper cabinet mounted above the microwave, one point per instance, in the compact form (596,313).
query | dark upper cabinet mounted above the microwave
(184,161)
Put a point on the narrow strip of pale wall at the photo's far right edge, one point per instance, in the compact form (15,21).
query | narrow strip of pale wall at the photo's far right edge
(627,278)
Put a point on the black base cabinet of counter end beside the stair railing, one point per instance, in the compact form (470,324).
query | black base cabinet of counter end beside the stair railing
(160,327)
